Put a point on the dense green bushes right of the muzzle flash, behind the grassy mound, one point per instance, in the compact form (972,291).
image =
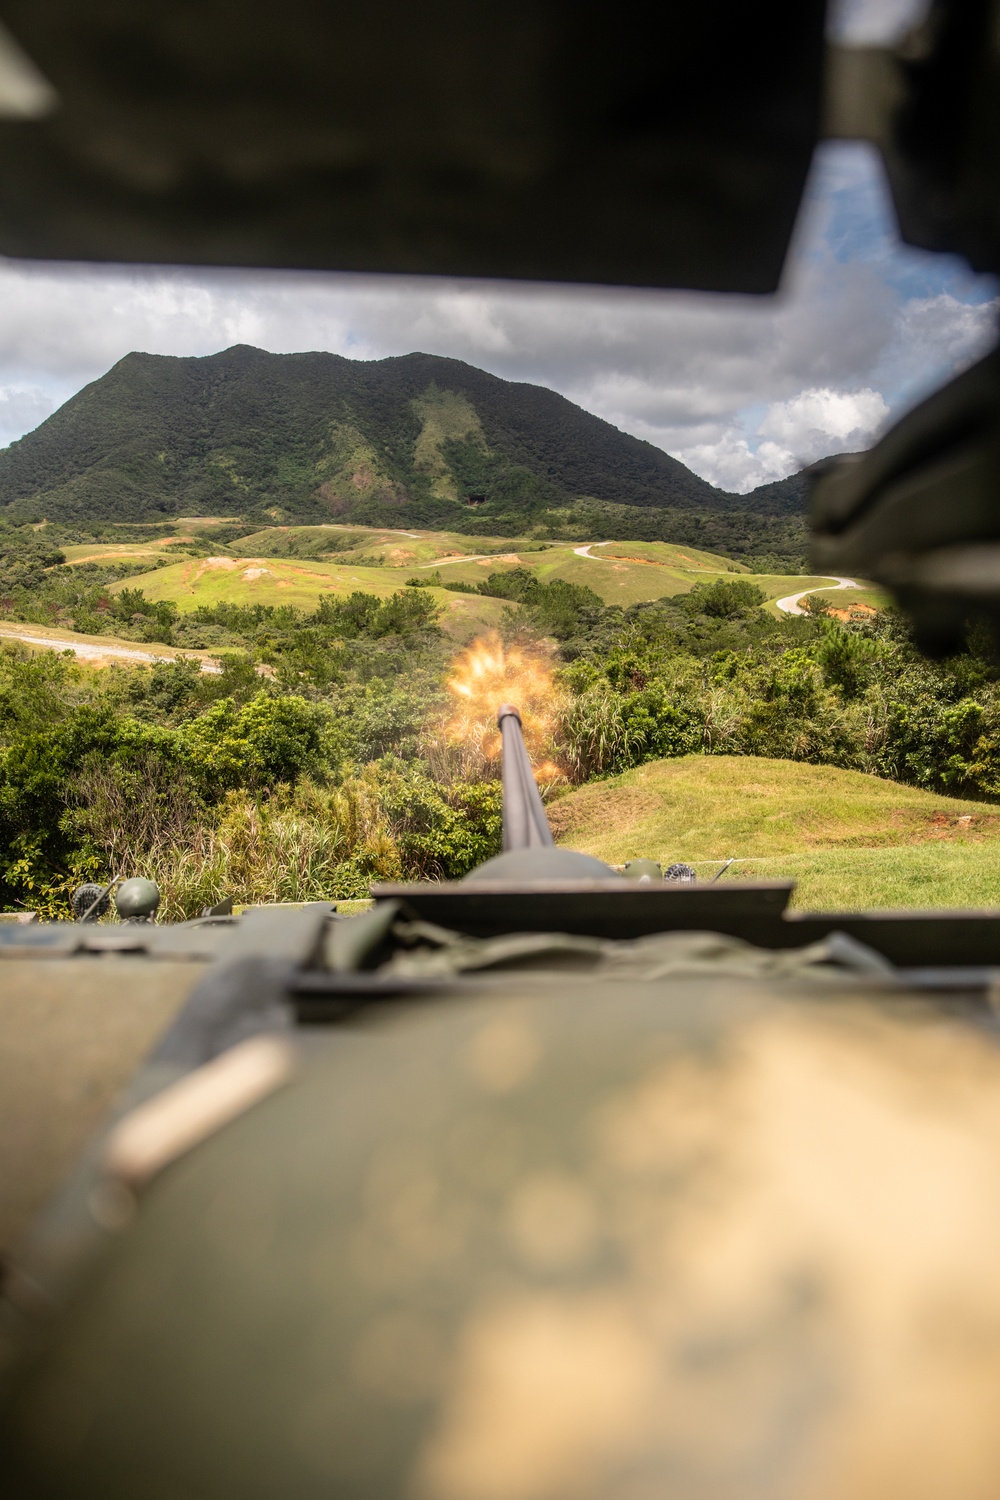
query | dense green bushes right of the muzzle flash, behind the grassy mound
(713,673)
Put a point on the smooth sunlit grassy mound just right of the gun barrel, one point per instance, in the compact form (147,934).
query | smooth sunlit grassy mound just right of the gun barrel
(851,841)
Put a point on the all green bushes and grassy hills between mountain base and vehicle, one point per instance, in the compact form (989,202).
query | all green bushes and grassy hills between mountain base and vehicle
(314,761)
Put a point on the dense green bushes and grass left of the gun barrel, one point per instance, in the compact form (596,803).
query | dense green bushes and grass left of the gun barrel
(232,784)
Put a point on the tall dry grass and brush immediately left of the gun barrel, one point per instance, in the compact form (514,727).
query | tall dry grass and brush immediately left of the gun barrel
(295,844)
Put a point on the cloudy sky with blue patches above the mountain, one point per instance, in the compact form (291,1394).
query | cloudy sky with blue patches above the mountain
(744,391)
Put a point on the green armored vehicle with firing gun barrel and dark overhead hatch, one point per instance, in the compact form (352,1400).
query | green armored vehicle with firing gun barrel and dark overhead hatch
(549,1184)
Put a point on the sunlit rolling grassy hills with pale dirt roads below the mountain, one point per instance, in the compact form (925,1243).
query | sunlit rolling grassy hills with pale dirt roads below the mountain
(197,565)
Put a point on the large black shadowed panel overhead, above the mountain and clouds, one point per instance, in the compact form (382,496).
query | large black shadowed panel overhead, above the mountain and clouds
(542,140)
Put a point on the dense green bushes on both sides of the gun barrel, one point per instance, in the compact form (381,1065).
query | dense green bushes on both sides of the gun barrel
(311,764)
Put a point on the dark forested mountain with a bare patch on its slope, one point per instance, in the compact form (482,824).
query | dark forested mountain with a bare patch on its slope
(319,436)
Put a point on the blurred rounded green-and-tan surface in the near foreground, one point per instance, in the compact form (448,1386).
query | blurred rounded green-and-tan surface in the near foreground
(704,1240)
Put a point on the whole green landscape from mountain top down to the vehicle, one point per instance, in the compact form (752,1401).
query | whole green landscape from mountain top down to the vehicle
(305,520)
